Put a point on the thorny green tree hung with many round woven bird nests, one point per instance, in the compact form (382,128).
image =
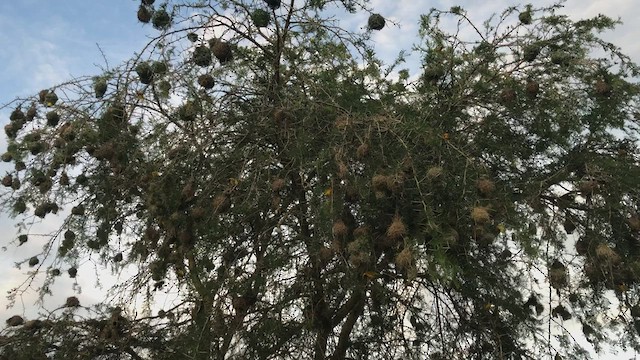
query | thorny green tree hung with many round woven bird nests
(310,204)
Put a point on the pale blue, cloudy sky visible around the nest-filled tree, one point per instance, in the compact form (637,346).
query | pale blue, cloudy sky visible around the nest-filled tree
(47,42)
